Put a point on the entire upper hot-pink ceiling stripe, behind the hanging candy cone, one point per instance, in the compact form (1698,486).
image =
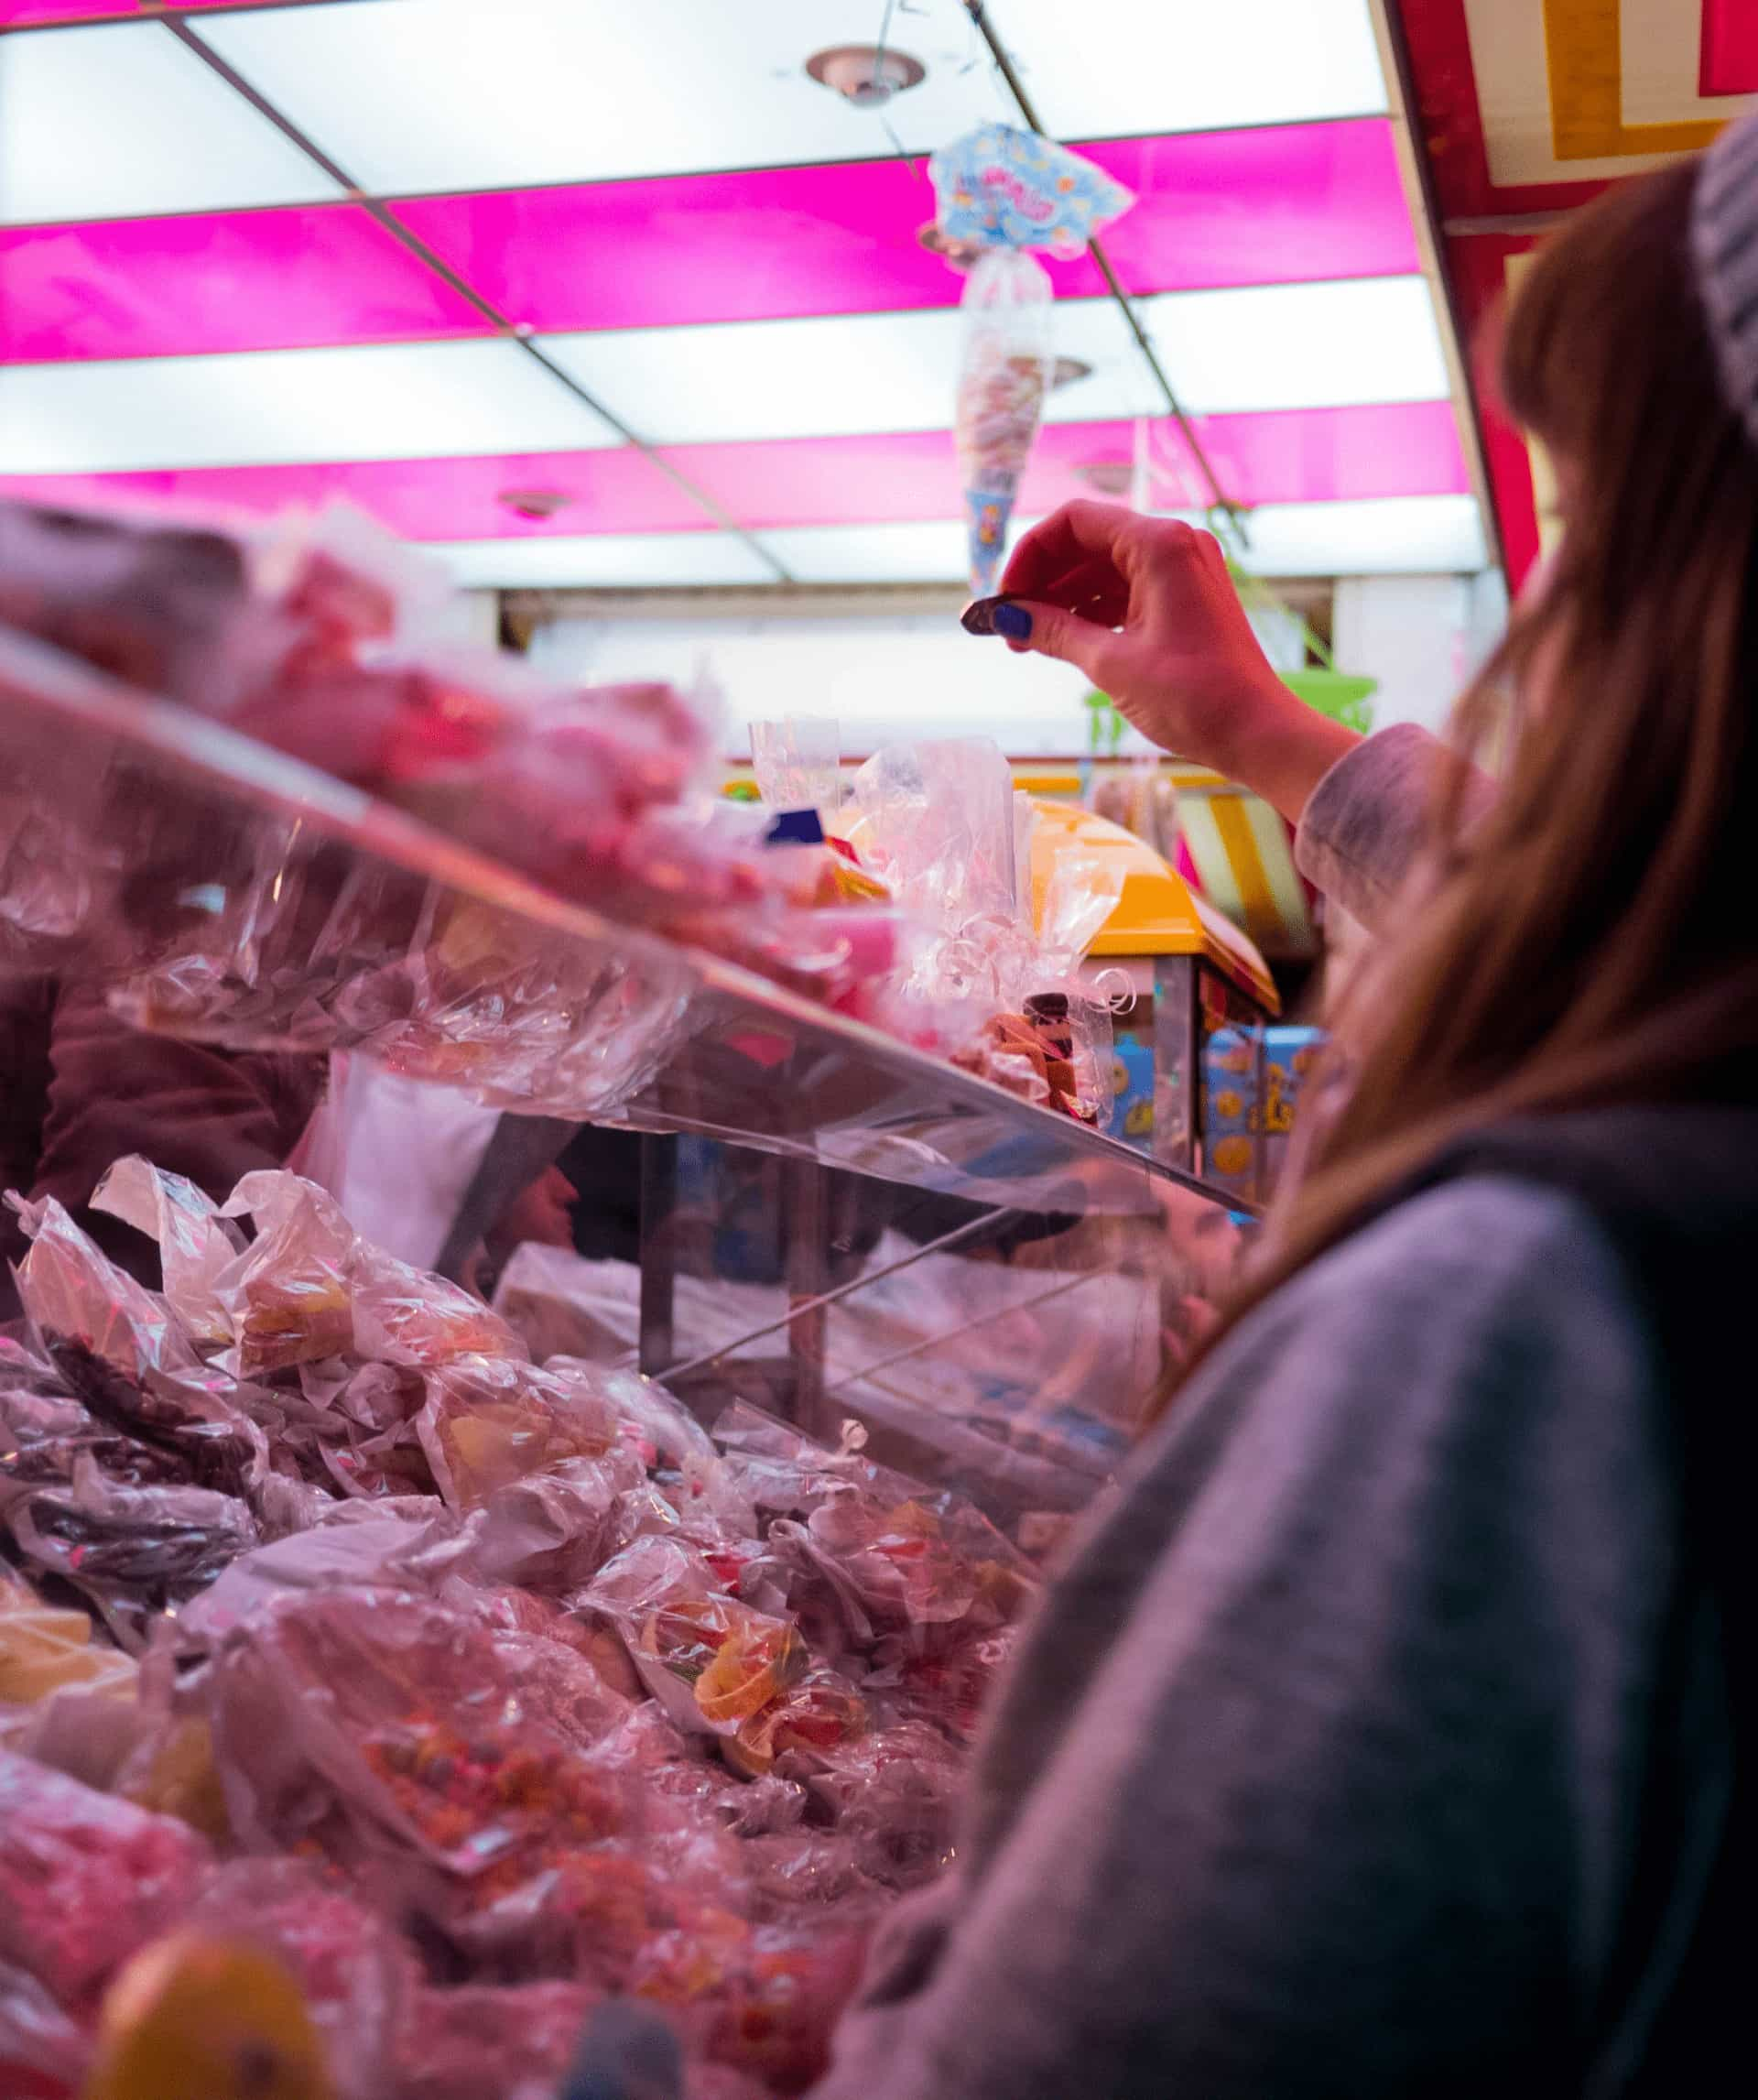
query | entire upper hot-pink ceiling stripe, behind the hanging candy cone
(1276,205)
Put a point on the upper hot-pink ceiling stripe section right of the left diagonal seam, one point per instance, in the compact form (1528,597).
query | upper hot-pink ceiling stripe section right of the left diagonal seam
(1217,209)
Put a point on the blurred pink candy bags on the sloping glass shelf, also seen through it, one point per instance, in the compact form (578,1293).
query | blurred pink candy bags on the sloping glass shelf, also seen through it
(222,921)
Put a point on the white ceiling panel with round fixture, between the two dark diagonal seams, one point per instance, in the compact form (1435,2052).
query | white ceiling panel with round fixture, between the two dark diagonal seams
(451,96)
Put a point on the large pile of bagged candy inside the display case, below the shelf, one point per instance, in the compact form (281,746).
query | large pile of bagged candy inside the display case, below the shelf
(478,1692)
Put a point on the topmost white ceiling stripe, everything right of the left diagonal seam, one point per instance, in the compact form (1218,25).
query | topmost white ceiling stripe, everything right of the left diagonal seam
(448,96)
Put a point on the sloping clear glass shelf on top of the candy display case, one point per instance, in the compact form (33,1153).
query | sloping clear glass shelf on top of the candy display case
(240,898)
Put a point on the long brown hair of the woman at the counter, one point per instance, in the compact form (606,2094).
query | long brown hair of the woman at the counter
(1593,938)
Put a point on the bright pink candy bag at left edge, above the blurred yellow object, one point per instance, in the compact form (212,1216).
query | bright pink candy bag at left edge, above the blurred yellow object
(85,1878)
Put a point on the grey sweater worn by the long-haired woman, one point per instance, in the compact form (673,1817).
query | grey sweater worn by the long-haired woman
(1318,1771)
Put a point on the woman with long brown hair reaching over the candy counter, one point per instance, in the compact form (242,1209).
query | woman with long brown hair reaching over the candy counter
(1387,1736)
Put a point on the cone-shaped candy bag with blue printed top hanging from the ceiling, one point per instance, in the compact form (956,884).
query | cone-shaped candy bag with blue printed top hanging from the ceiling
(1007,192)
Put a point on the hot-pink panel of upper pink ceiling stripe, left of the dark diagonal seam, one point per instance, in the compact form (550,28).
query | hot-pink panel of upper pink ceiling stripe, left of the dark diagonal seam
(280,280)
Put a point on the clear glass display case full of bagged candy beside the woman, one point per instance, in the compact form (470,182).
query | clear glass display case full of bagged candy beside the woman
(476,1662)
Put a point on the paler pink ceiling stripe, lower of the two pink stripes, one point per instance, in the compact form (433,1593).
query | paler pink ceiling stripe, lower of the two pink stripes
(1297,457)
